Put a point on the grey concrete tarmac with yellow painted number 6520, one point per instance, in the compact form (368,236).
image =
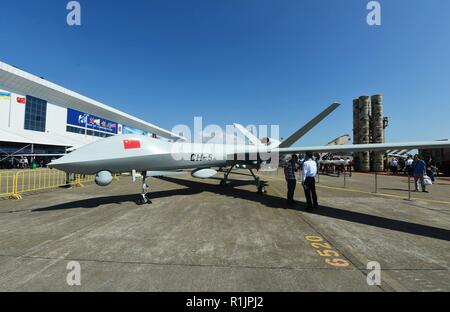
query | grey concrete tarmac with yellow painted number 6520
(199,236)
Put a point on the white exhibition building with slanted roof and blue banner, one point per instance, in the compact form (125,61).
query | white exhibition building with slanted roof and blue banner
(41,120)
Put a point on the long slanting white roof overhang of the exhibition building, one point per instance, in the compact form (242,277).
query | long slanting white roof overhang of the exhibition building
(19,81)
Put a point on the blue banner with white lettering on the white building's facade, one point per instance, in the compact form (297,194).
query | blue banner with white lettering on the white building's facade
(79,119)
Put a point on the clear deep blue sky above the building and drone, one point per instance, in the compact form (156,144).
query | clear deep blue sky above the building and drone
(252,62)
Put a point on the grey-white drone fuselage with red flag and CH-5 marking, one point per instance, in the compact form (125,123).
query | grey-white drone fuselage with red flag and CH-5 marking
(126,153)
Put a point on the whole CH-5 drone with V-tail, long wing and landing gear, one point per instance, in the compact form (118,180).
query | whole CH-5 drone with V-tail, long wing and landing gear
(153,157)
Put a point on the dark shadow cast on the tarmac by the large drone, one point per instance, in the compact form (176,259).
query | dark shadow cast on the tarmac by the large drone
(194,187)
